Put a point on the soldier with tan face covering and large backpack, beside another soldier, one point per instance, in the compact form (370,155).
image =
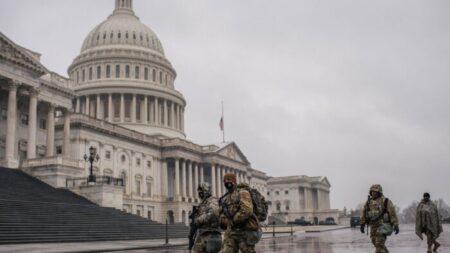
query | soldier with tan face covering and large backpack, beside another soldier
(237,218)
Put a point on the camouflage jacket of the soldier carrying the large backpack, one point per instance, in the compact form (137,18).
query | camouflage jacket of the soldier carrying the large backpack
(236,211)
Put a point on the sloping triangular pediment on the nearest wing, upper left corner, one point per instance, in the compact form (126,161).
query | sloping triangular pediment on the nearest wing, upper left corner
(17,55)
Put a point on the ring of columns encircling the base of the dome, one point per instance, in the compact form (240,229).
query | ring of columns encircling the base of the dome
(132,108)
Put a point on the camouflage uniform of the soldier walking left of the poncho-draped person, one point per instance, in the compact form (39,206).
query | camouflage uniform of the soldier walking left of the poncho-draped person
(372,210)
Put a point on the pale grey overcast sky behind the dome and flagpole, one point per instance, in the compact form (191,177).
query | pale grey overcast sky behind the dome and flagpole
(357,91)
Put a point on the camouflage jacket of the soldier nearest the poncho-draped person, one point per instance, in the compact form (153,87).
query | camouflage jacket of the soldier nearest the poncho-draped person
(374,208)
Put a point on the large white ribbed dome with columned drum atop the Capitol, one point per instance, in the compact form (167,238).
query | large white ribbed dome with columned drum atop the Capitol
(122,76)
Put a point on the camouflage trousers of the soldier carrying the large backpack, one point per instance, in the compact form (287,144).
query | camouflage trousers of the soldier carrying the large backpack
(235,241)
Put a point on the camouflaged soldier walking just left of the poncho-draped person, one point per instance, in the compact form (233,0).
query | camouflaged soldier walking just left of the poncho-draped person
(379,214)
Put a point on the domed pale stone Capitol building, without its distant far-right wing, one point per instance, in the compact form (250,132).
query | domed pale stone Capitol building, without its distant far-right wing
(120,99)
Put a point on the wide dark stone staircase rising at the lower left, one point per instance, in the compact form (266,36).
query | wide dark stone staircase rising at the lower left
(34,212)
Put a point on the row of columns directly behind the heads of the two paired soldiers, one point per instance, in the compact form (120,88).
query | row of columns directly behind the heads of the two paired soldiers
(188,175)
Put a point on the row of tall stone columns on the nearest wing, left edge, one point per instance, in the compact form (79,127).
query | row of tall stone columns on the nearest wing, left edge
(11,125)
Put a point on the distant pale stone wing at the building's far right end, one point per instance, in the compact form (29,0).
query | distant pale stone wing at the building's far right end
(297,197)
